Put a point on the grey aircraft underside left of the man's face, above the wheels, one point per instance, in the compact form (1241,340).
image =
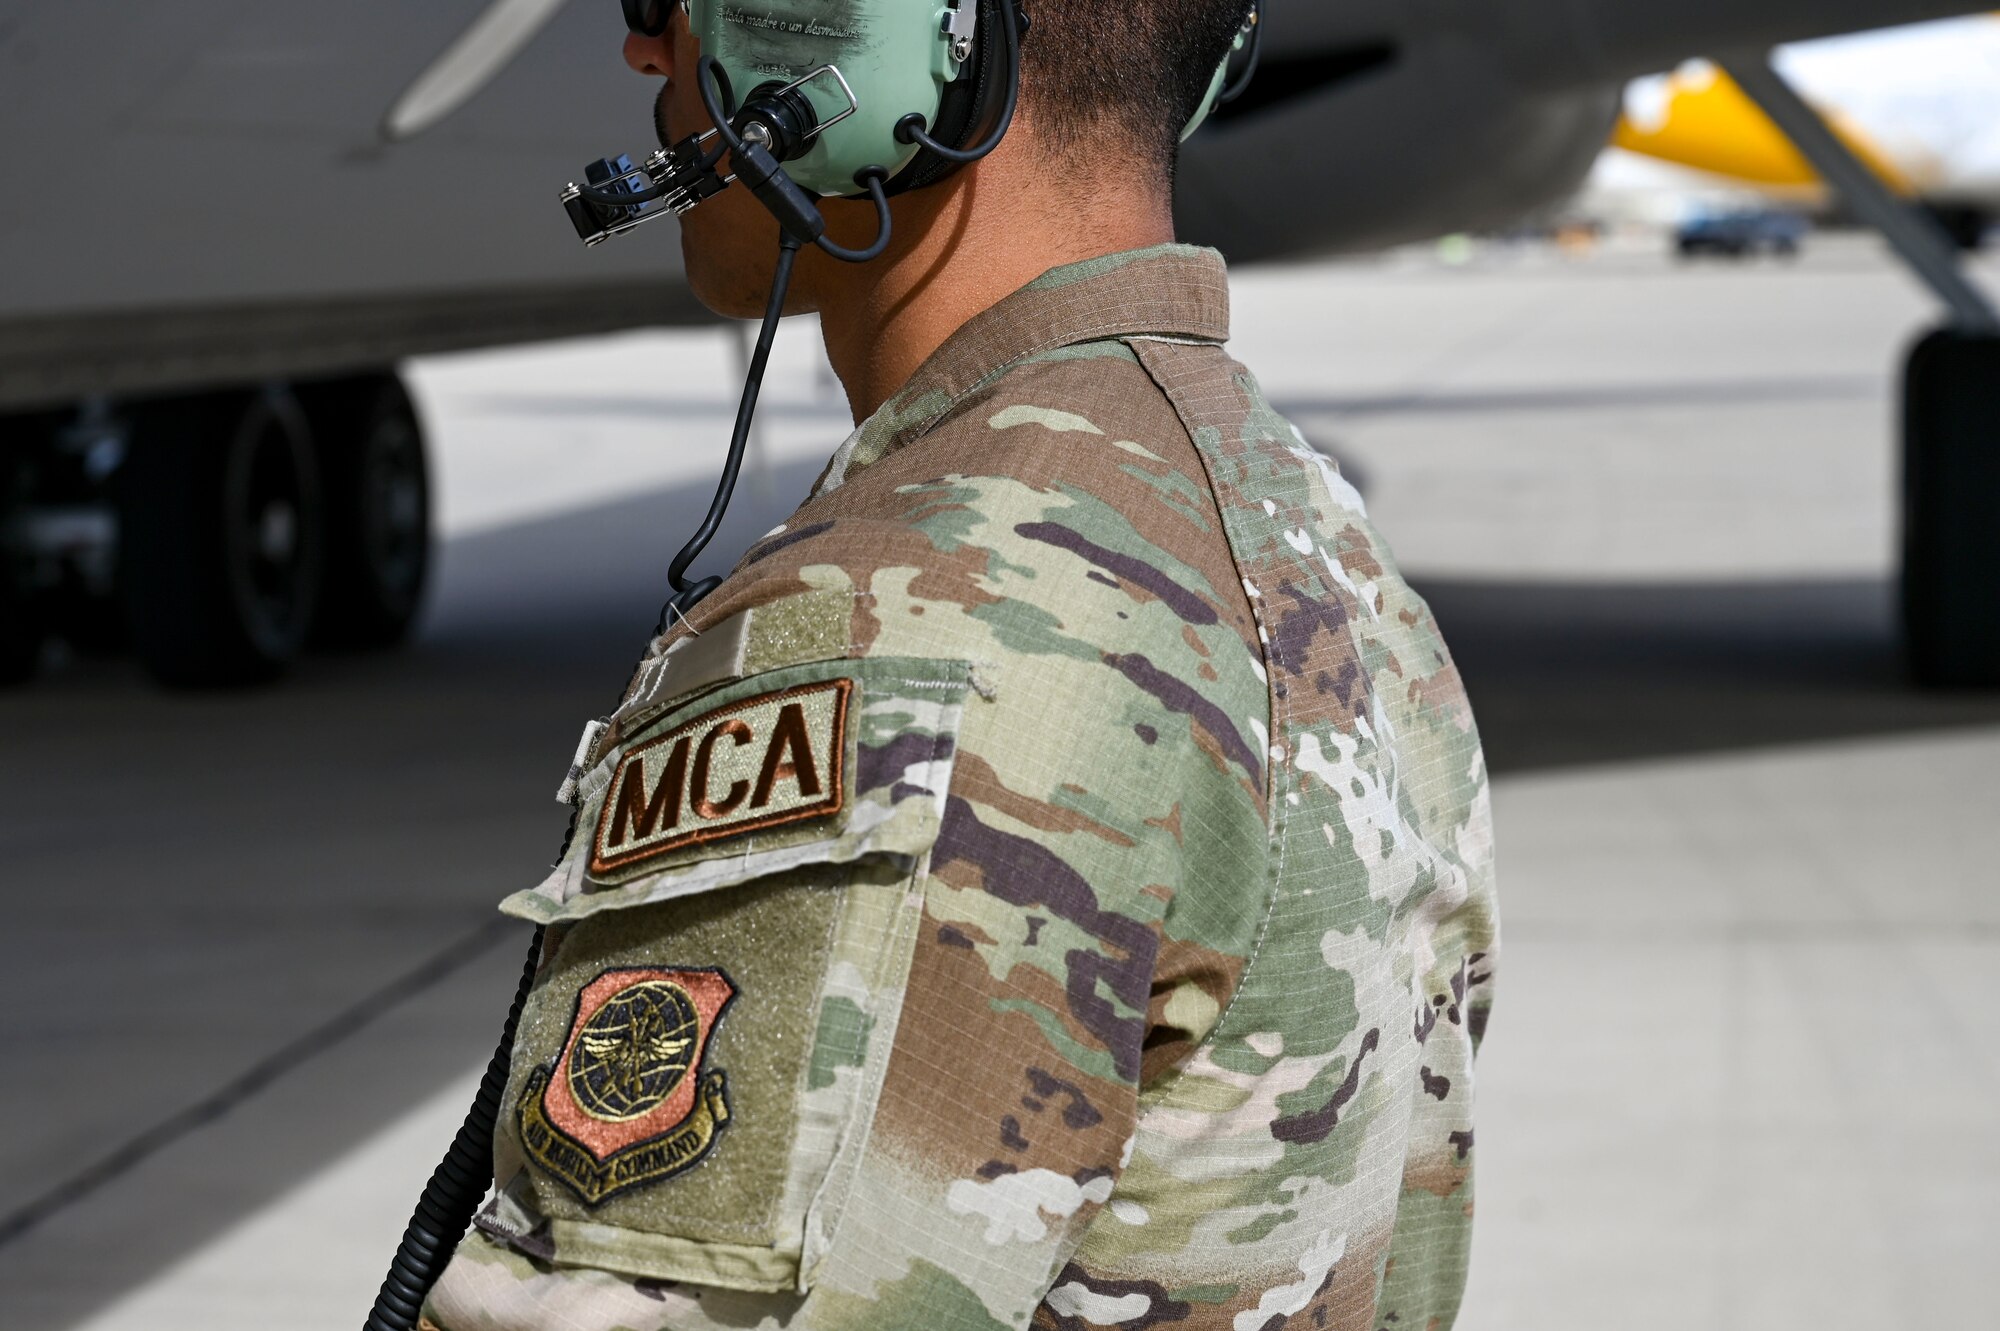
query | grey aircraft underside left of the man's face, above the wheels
(203,193)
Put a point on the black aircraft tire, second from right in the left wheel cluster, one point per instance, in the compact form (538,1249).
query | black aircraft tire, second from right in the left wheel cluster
(221,537)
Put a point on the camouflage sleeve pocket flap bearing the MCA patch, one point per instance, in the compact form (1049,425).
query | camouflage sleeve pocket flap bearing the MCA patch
(811,764)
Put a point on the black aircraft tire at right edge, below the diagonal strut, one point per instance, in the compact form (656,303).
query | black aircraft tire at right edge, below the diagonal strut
(1951,509)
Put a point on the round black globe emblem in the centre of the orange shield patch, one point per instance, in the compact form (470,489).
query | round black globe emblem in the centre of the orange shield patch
(635,1050)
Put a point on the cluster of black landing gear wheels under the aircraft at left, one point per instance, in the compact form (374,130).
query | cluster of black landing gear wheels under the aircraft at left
(217,535)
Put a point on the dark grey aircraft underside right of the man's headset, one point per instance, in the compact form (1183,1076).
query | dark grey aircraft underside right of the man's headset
(1385,121)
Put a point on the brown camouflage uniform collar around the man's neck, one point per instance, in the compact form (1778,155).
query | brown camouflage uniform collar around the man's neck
(1163,293)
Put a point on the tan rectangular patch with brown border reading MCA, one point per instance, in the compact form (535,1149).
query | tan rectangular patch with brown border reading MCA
(747,766)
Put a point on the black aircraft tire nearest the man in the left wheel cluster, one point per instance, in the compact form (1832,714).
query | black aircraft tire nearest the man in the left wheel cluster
(377,483)
